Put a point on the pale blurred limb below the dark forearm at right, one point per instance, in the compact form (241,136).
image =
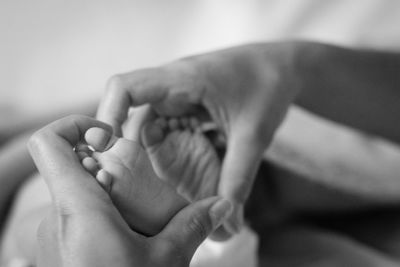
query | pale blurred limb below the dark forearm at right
(349,163)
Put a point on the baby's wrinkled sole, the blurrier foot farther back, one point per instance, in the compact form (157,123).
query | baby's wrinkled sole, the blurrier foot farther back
(183,156)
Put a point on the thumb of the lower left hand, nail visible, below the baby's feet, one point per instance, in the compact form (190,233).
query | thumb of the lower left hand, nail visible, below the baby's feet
(188,229)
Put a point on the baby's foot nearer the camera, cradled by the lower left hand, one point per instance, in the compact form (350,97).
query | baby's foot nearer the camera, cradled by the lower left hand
(123,169)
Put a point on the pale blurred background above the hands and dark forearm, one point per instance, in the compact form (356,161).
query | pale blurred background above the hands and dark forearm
(57,53)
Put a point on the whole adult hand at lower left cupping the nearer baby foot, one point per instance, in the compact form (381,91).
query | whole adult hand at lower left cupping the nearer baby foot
(85,229)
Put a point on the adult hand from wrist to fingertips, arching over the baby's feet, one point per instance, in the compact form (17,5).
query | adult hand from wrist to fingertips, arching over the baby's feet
(246,91)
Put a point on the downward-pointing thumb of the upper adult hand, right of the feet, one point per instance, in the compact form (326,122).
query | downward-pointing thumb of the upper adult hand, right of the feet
(240,164)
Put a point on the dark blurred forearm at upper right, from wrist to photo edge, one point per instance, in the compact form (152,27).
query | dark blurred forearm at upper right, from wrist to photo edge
(359,88)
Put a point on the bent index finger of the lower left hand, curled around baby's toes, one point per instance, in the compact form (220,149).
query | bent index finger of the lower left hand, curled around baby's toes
(52,151)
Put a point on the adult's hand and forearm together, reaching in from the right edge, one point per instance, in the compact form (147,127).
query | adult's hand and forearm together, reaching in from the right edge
(247,90)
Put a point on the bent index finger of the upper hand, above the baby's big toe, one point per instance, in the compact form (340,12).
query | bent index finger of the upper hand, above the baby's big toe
(131,89)
